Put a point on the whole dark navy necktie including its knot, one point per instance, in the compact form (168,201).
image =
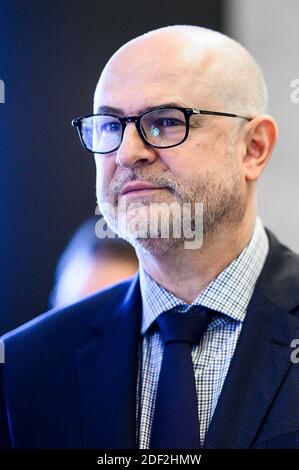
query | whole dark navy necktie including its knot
(176,422)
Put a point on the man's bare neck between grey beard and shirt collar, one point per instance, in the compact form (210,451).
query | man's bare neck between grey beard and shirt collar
(186,273)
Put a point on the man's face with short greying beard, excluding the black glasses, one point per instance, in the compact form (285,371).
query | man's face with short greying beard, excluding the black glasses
(204,169)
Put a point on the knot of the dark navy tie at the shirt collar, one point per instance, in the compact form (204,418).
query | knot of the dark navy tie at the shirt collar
(187,327)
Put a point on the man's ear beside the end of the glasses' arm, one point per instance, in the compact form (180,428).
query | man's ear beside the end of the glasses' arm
(261,136)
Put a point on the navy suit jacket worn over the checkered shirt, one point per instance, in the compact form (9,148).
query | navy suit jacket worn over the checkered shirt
(69,380)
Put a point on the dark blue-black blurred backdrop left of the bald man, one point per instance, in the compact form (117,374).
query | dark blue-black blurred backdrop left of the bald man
(51,55)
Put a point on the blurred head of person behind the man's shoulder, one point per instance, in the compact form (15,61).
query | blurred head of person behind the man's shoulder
(89,263)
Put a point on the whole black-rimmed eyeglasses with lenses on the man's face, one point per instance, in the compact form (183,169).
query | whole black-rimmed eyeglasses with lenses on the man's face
(162,127)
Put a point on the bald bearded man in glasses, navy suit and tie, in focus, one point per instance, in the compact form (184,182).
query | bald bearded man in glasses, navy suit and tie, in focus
(111,371)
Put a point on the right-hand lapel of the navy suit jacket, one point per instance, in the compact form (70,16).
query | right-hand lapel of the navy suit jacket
(258,368)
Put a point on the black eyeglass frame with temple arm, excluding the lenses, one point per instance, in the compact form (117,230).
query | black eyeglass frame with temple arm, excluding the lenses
(188,112)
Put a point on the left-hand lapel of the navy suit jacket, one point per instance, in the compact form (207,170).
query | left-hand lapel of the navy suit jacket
(107,374)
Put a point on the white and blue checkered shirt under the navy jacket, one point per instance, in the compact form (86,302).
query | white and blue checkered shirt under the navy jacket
(229,294)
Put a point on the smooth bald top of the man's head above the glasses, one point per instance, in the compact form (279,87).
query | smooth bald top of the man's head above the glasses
(218,68)
